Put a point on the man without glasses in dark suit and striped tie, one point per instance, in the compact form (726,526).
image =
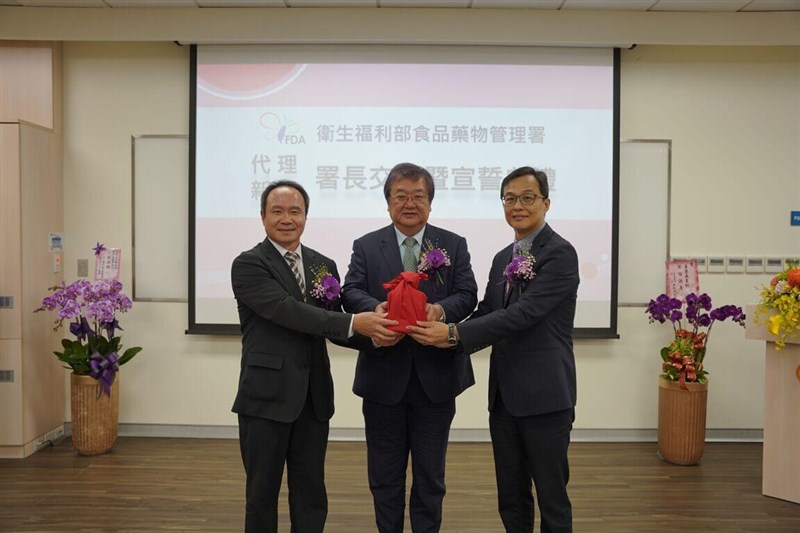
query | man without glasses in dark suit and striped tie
(285,396)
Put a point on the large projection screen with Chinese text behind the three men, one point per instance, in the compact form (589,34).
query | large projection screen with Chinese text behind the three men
(337,118)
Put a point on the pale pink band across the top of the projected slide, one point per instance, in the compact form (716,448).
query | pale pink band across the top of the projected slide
(417,85)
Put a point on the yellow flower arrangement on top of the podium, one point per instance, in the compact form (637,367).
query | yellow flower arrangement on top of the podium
(780,305)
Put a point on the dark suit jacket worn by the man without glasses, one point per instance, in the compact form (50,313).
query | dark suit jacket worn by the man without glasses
(283,338)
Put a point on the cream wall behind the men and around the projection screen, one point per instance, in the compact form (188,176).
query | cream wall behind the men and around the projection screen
(733,114)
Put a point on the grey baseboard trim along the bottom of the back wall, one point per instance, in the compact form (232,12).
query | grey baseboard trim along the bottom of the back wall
(456,435)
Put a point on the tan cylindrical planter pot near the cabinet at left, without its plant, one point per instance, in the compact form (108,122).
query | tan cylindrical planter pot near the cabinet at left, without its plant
(95,416)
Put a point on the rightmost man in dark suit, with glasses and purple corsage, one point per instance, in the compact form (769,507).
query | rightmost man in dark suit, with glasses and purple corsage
(532,389)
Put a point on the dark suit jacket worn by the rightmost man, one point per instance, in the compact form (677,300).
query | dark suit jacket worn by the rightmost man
(532,362)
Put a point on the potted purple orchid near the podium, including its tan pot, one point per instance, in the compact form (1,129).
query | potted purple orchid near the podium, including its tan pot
(683,384)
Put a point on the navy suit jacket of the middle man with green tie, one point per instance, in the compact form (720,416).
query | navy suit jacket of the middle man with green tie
(382,374)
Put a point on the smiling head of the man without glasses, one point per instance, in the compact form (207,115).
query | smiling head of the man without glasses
(284,216)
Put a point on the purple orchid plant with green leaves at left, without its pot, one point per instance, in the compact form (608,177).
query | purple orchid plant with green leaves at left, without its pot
(90,309)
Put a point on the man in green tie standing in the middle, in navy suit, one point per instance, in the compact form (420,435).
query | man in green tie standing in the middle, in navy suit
(409,390)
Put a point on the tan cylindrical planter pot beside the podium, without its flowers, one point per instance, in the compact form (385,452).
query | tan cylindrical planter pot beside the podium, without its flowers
(681,422)
